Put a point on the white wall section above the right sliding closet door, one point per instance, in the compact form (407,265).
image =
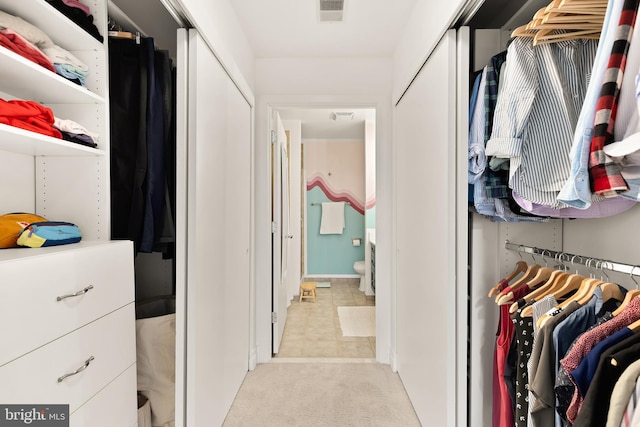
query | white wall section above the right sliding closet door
(428,23)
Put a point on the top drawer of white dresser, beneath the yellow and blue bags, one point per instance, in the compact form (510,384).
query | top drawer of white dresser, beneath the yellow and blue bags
(31,311)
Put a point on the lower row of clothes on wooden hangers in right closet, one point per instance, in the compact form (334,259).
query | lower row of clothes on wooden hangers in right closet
(567,349)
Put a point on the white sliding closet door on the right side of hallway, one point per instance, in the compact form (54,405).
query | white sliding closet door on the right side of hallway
(432,238)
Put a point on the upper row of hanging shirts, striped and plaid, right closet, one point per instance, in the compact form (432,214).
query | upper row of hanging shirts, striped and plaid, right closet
(554,123)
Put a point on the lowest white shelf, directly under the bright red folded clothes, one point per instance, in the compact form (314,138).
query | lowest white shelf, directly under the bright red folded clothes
(18,140)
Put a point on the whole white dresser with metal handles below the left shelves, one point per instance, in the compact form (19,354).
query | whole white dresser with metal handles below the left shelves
(65,310)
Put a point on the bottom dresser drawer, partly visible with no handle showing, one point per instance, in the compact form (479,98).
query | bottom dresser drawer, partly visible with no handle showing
(115,405)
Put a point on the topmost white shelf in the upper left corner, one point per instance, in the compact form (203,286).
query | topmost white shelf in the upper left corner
(64,32)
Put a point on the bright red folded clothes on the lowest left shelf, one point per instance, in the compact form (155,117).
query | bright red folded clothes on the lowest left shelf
(28,115)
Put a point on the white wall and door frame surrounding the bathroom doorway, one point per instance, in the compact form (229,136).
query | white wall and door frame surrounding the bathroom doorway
(323,82)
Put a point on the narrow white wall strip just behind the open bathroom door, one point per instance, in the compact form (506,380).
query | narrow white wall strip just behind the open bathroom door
(295,163)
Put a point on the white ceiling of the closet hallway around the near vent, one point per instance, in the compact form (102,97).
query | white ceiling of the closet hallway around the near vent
(290,28)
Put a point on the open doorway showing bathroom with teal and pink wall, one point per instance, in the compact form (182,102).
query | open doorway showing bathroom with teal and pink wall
(323,181)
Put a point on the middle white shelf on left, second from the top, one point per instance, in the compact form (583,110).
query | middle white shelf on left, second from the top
(31,81)
